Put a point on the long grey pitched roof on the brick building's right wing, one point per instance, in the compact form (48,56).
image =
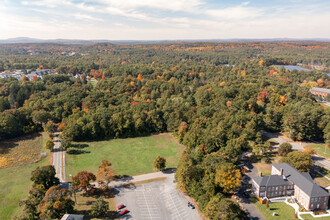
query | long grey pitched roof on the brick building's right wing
(302,180)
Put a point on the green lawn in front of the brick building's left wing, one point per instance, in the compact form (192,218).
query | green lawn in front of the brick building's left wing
(284,211)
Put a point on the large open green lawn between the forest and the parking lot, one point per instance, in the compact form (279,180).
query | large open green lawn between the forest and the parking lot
(131,156)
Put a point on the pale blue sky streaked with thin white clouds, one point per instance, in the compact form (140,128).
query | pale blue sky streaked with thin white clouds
(164,19)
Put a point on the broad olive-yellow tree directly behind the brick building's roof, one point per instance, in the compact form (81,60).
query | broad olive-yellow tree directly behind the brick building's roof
(300,160)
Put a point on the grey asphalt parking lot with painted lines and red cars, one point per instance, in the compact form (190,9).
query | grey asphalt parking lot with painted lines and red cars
(156,200)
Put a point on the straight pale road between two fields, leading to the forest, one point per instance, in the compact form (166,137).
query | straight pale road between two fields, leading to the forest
(59,159)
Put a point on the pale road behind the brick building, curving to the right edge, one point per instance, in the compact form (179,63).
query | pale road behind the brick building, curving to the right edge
(298,146)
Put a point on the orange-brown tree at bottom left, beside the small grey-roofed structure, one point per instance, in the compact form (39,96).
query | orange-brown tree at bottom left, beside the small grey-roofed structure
(56,203)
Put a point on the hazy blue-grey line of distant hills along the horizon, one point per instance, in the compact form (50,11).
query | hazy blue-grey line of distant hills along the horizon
(17,40)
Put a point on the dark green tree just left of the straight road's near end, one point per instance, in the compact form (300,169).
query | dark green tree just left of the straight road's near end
(45,176)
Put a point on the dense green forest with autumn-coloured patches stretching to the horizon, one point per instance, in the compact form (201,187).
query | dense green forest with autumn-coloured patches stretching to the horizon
(216,98)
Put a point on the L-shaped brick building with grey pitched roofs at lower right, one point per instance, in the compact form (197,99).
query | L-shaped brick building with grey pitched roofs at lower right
(287,181)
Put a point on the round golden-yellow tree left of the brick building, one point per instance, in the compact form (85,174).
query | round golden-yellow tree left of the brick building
(228,177)
